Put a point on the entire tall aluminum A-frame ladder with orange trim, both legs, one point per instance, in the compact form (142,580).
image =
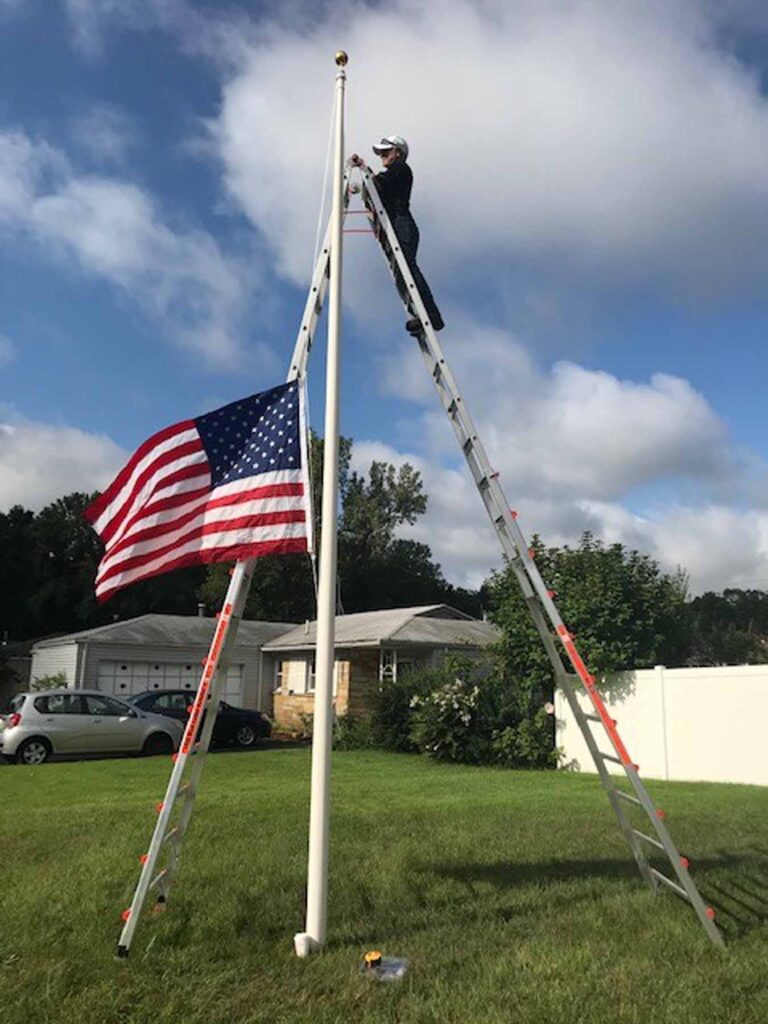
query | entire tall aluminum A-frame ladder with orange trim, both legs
(175,812)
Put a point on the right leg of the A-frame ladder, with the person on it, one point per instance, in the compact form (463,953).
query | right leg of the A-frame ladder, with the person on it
(598,728)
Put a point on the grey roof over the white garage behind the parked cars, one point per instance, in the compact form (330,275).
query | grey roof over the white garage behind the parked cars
(168,631)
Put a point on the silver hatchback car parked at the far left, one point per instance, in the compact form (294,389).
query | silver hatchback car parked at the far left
(64,721)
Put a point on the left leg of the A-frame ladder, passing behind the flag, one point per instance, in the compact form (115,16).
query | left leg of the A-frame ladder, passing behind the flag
(175,812)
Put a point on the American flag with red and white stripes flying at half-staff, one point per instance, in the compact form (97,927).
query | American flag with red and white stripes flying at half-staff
(224,487)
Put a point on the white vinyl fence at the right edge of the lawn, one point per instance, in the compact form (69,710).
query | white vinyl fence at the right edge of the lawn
(697,724)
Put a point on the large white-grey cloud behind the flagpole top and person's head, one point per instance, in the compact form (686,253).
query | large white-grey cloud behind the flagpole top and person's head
(607,141)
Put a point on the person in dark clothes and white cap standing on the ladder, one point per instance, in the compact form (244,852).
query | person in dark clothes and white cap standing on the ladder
(395,185)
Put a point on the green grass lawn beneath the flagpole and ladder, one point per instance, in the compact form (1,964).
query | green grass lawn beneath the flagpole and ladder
(511,893)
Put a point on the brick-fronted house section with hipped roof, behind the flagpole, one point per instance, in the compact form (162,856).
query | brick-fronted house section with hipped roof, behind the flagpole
(371,649)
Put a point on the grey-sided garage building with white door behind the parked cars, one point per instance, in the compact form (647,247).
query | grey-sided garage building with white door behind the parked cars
(161,653)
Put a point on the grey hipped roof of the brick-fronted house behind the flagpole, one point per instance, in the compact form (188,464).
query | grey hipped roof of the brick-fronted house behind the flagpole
(433,625)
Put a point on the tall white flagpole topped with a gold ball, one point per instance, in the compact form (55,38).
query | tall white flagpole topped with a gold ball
(317,902)
